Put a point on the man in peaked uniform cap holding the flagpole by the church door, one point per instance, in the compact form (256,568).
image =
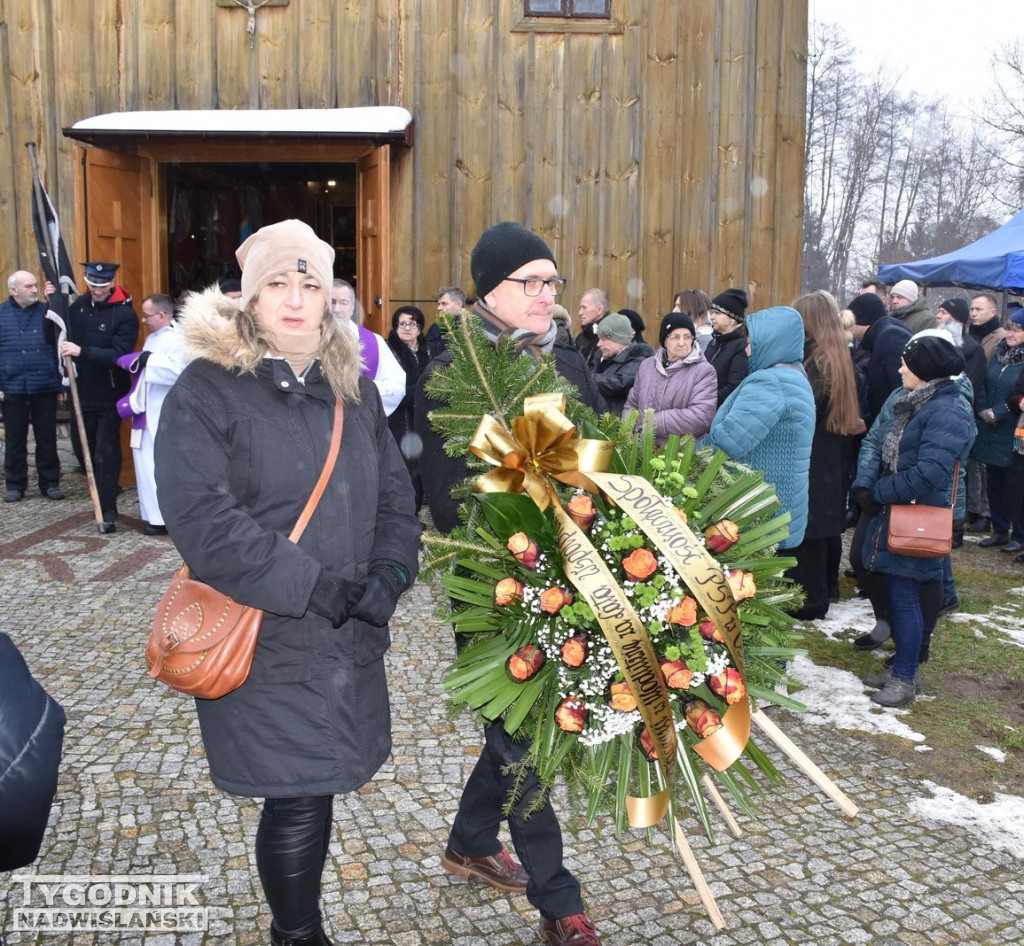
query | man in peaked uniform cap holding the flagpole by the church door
(102,327)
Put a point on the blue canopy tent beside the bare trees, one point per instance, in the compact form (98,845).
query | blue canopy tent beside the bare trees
(996,263)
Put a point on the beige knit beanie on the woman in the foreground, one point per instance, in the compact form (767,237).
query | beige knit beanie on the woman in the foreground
(290,246)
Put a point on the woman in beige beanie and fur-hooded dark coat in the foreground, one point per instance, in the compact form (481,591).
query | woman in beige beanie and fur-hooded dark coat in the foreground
(243,438)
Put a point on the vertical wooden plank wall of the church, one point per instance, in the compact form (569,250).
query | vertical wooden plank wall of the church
(660,152)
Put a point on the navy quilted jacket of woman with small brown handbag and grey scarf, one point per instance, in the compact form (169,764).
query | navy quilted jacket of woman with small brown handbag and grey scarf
(935,439)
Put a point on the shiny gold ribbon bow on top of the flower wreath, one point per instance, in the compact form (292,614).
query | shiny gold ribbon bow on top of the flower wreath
(543,445)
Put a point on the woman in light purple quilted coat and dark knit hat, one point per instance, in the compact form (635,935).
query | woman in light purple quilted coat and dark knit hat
(677,383)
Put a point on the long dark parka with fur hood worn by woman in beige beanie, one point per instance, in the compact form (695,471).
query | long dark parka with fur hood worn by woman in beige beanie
(237,457)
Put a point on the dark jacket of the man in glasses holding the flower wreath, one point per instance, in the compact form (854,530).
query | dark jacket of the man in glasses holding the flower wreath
(441,472)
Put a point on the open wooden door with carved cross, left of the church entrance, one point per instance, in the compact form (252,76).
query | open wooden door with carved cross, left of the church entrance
(113,197)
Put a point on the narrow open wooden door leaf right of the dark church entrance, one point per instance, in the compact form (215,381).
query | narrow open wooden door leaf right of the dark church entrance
(373,266)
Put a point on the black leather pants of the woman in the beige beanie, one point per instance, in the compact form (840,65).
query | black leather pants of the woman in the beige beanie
(291,848)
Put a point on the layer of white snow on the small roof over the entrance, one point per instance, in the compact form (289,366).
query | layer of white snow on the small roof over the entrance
(380,121)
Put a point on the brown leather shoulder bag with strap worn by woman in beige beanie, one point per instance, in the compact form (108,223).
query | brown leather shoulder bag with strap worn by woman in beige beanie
(202,641)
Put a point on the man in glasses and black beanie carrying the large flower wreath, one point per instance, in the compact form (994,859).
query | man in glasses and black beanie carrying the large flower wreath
(517,284)
